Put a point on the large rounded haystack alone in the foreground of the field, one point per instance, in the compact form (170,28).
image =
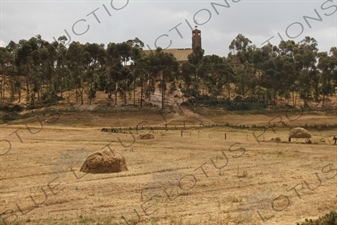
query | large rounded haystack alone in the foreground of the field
(104,162)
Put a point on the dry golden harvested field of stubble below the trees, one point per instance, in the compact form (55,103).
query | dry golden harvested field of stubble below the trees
(186,175)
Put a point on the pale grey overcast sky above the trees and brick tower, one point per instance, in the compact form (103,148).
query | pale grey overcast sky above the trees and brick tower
(171,21)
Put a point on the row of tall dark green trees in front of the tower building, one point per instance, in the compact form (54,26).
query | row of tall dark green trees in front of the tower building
(44,72)
